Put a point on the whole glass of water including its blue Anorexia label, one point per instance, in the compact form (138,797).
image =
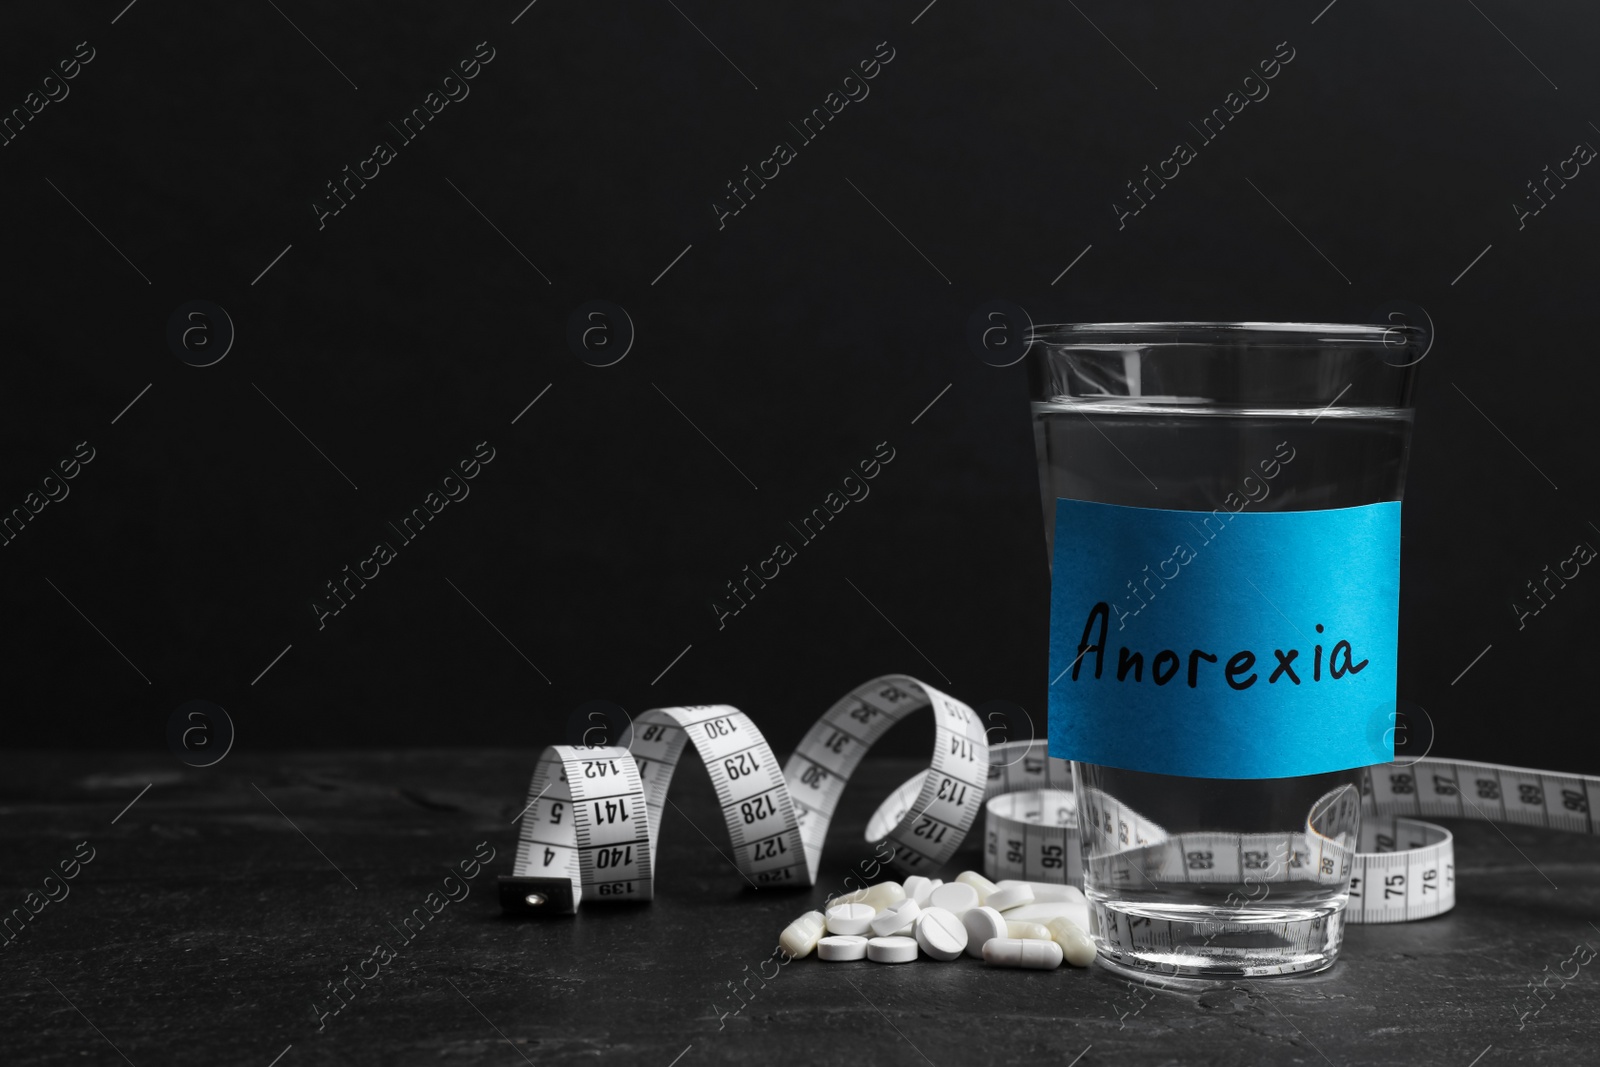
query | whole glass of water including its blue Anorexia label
(1222,510)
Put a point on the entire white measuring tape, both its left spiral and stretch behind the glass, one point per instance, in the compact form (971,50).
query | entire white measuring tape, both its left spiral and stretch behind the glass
(594,813)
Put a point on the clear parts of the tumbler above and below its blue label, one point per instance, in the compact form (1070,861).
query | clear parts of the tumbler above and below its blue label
(1220,877)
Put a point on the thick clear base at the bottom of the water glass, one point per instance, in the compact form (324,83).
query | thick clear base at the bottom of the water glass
(1177,941)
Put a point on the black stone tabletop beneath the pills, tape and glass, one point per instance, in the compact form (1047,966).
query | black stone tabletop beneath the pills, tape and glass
(215,911)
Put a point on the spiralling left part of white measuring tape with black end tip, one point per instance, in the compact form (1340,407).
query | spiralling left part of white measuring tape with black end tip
(594,813)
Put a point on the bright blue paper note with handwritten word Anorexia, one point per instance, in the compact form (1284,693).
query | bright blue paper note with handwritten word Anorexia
(1225,644)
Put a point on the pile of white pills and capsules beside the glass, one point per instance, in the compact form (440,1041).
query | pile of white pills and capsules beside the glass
(1010,924)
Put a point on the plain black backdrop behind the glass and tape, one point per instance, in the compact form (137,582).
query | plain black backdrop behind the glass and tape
(798,338)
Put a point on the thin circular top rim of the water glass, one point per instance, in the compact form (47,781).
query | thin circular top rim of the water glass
(1233,334)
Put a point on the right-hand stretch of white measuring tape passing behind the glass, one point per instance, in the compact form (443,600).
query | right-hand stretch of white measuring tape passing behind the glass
(1401,868)
